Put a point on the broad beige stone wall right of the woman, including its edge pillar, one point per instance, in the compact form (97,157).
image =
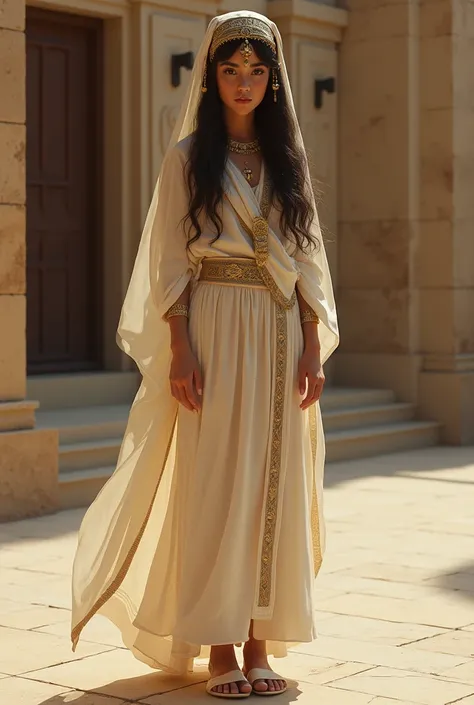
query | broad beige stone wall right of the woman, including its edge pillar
(406,264)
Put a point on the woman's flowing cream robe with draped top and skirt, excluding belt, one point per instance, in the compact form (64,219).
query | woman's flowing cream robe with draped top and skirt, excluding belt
(217,519)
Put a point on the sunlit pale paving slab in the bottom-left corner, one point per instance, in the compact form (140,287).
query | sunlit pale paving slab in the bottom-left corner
(22,691)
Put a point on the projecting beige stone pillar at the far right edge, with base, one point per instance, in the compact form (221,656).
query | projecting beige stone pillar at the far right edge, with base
(446,249)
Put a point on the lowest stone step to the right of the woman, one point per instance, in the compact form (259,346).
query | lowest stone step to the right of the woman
(380,440)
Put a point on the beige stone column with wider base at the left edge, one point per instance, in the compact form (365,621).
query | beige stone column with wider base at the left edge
(28,457)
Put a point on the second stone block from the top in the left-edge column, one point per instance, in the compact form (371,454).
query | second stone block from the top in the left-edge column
(12,76)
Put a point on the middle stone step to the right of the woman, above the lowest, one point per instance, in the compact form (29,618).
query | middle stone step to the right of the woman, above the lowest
(365,416)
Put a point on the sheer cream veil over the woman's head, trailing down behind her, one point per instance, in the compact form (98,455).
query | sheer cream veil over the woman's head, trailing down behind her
(119,532)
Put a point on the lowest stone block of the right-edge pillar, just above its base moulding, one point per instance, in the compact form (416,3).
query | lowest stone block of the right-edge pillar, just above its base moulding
(436,320)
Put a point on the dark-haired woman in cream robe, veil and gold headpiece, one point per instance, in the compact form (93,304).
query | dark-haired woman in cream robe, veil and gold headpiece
(210,530)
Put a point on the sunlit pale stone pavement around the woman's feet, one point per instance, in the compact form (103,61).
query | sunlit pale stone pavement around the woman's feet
(395,601)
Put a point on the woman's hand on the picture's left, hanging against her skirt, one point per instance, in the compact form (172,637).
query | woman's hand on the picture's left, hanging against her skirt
(185,378)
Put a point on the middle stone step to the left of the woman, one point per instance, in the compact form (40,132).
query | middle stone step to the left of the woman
(88,454)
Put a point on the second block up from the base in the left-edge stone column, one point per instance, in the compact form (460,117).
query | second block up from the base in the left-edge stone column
(13,248)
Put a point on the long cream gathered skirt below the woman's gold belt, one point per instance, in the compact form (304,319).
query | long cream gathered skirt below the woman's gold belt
(210,575)
